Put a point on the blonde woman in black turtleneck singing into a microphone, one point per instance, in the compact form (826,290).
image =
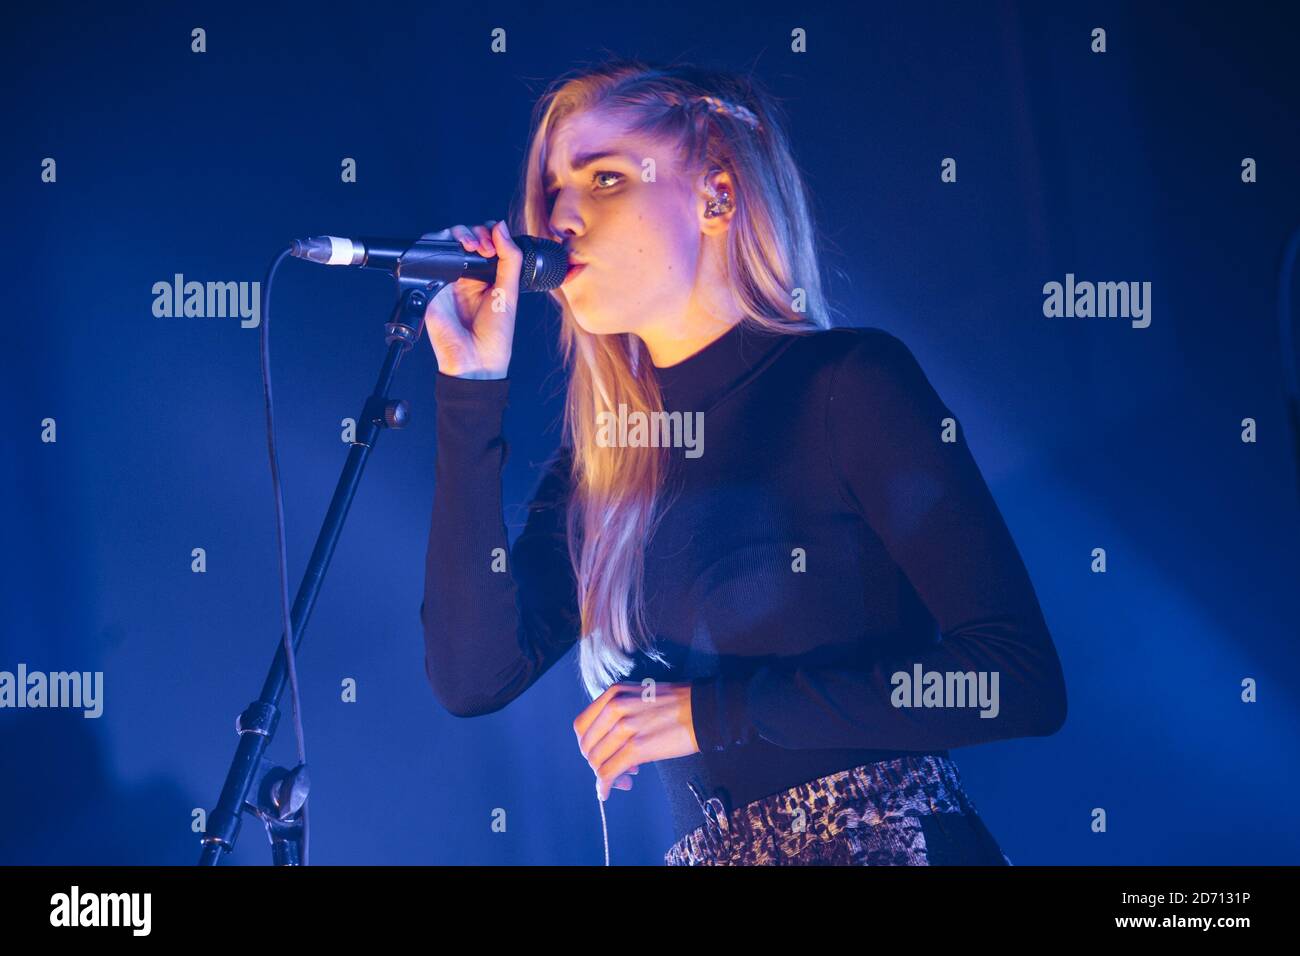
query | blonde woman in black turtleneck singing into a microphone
(792,592)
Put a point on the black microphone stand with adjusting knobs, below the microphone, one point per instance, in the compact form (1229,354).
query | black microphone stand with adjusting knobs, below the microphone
(274,794)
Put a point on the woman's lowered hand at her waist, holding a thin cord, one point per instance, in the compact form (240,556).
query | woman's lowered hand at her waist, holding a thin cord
(631,724)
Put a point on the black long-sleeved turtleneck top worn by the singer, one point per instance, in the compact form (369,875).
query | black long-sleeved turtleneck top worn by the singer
(834,533)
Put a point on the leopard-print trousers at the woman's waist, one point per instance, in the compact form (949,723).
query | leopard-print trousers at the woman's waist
(907,812)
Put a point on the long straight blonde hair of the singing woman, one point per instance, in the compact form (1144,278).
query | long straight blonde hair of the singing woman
(708,118)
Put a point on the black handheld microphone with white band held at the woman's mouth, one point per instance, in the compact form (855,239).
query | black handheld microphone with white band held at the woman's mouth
(443,261)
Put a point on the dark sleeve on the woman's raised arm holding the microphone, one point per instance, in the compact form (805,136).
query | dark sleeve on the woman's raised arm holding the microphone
(496,617)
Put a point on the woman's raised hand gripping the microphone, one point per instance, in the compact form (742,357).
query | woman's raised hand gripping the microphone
(471,325)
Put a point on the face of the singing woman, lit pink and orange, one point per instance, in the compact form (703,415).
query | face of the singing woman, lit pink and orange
(642,241)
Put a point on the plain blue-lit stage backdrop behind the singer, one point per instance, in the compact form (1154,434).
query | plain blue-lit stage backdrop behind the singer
(1115,167)
